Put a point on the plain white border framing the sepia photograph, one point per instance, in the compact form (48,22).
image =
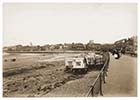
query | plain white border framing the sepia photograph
(68,1)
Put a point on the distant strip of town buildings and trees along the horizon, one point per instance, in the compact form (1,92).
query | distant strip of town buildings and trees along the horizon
(130,45)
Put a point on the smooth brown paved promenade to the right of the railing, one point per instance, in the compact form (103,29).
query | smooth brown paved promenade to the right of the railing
(121,80)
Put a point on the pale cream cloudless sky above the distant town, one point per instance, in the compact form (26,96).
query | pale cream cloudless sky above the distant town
(51,23)
